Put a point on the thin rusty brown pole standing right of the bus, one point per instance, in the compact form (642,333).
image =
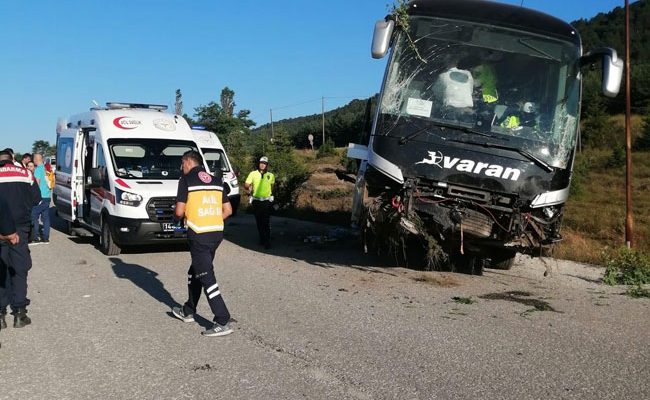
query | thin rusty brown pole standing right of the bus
(629,220)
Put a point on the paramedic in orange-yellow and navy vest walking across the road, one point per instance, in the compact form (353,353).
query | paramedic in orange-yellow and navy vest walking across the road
(204,205)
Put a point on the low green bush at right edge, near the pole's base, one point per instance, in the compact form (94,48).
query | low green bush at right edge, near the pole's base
(626,266)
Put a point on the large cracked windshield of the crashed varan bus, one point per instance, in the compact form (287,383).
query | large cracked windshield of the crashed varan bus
(520,90)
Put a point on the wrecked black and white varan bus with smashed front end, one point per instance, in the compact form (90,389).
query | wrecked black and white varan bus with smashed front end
(472,145)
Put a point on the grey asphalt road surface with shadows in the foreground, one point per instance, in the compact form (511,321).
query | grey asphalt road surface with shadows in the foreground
(320,321)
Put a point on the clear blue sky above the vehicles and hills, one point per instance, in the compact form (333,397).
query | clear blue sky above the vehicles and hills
(56,57)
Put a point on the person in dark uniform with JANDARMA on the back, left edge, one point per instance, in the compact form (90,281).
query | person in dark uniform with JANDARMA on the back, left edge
(21,193)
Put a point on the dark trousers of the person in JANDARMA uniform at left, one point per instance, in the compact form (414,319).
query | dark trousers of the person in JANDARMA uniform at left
(15,263)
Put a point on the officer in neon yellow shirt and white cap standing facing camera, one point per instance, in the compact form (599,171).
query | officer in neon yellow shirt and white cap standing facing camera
(259,185)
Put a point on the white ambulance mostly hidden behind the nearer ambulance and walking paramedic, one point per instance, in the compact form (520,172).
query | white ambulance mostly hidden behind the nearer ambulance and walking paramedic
(216,159)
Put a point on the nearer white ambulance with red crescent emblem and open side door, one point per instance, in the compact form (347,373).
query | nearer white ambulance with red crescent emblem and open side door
(117,173)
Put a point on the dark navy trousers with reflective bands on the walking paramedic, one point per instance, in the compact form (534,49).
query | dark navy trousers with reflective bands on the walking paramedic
(200,276)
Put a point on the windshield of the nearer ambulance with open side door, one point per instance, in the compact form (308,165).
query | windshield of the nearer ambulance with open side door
(148,158)
